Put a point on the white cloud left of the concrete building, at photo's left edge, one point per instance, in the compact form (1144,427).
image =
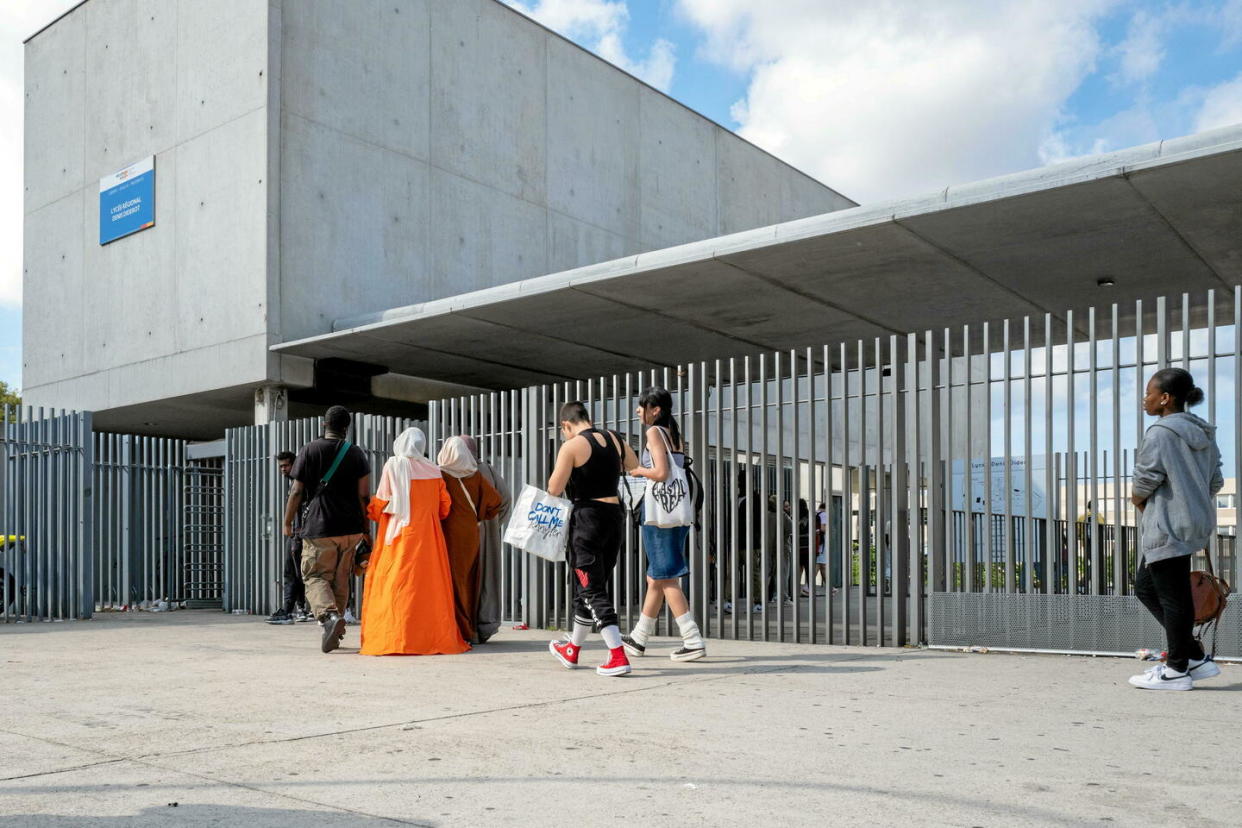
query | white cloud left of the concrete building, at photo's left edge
(19,19)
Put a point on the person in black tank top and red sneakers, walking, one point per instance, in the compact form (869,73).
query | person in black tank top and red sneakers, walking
(591,465)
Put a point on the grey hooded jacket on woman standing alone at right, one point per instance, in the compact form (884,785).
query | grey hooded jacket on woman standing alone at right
(1179,472)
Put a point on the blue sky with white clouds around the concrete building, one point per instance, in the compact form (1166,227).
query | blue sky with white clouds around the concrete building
(877,100)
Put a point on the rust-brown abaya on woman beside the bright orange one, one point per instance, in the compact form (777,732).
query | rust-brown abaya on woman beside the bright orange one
(474,500)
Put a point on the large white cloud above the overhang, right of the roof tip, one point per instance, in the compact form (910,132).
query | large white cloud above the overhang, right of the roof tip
(890,99)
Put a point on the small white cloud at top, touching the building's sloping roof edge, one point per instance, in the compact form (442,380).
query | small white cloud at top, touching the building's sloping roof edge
(601,27)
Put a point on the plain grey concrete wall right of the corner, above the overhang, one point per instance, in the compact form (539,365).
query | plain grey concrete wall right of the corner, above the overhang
(438,147)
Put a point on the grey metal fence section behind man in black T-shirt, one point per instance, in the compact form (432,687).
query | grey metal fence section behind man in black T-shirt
(254,502)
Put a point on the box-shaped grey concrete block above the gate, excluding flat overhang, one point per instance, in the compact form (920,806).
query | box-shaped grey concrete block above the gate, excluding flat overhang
(320,160)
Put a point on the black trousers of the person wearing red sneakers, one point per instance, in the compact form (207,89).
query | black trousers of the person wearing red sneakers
(594,544)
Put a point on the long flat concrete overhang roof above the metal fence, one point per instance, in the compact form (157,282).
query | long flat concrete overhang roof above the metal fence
(1161,219)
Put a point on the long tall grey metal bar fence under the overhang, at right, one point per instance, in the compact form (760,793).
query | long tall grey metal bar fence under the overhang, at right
(989,460)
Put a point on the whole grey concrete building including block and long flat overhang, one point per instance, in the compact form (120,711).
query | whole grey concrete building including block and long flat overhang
(384,203)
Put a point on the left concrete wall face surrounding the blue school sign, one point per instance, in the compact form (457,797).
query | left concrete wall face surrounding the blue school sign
(182,307)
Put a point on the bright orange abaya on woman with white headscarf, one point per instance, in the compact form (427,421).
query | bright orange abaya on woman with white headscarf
(408,595)
